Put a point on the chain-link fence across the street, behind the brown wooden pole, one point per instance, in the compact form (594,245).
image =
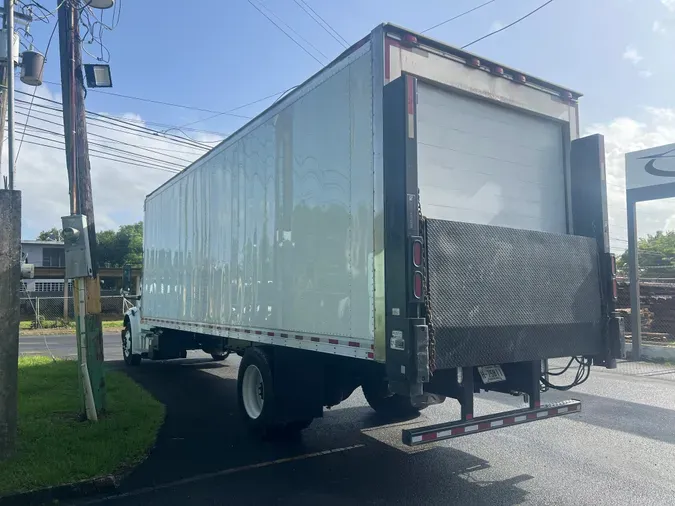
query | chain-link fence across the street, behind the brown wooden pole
(58,312)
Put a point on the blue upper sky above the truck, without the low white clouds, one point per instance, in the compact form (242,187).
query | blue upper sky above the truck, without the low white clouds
(220,54)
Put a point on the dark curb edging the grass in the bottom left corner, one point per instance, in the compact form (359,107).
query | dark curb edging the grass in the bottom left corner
(62,492)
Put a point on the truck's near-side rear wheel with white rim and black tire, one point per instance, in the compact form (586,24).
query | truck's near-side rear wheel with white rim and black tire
(257,399)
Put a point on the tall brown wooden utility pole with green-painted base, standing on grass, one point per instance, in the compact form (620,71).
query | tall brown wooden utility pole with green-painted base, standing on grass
(86,289)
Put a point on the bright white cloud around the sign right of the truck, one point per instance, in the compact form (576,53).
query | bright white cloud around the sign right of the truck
(624,135)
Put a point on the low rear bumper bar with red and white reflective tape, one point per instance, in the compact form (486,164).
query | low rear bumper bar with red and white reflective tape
(439,432)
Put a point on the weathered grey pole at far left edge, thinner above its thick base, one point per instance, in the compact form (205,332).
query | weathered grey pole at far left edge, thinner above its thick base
(10,272)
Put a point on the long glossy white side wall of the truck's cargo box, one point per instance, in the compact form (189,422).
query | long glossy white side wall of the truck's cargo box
(274,228)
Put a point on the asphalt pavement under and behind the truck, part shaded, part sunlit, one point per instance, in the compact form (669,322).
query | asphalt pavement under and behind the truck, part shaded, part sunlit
(619,450)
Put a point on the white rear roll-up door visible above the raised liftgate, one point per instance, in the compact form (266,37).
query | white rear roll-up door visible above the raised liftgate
(481,162)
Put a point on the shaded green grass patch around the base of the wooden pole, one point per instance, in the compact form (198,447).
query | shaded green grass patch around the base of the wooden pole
(55,447)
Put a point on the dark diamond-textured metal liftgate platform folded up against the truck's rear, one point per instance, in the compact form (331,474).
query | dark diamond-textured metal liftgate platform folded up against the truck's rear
(502,295)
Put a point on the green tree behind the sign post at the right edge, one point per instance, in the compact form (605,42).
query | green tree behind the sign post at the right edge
(656,256)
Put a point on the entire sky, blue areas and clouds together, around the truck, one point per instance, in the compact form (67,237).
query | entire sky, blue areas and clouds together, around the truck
(219,55)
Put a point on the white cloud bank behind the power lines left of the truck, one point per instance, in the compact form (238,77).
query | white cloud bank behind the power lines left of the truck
(119,188)
